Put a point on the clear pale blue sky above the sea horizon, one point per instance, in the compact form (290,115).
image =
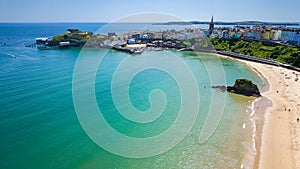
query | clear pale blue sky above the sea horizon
(114,10)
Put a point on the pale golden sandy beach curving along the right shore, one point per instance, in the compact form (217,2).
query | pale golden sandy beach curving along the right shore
(278,141)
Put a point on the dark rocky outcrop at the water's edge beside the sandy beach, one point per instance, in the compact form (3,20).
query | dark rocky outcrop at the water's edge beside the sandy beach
(244,87)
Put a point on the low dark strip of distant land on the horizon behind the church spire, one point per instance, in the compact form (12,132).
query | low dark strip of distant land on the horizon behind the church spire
(230,23)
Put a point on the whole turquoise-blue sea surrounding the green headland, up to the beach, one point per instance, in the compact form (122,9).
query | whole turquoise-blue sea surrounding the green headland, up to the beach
(51,103)
